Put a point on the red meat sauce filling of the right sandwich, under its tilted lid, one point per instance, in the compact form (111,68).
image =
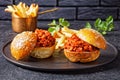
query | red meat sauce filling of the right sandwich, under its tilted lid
(75,44)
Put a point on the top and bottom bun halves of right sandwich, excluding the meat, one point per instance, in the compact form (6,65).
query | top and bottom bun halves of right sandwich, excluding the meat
(93,38)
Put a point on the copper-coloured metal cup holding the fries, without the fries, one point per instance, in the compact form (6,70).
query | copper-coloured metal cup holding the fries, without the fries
(23,24)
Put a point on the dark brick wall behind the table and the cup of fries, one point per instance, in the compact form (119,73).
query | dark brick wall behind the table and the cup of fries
(70,9)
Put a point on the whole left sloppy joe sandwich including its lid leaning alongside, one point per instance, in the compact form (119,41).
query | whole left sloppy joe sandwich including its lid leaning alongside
(38,44)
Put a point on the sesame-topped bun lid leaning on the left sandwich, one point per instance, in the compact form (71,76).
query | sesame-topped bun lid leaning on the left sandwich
(22,44)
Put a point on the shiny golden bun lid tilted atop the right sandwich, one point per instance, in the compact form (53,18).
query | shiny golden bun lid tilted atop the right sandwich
(92,37)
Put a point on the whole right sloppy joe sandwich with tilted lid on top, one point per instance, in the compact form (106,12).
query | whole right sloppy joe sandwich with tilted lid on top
(84,46)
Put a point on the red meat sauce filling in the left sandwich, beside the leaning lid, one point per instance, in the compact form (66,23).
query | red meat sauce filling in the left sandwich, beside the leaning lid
(44,38)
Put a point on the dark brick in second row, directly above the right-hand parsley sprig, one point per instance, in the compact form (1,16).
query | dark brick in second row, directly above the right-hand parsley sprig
(95,12)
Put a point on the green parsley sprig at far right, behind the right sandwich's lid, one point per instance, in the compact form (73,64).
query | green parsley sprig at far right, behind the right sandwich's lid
(102,26)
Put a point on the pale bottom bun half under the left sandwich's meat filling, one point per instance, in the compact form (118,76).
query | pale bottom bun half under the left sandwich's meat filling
(43,52)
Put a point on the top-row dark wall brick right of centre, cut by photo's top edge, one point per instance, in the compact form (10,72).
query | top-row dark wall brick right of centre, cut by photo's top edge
(78,2)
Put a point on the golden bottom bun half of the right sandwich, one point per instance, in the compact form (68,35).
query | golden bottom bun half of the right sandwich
(82,56)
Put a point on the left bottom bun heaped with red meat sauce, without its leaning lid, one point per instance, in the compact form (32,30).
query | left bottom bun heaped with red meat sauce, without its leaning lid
(45,44)
